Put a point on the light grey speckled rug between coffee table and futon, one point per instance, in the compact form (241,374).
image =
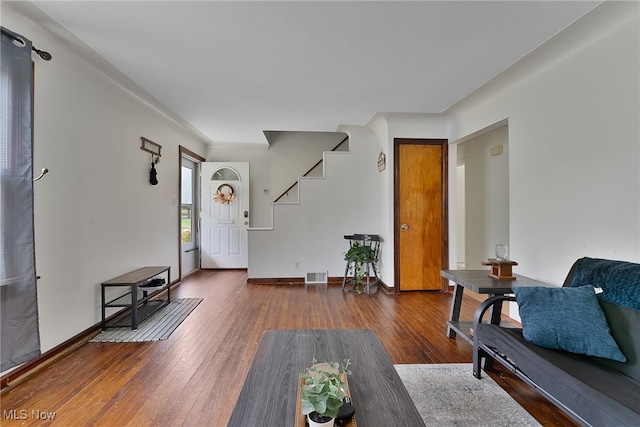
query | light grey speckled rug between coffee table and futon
(449,395)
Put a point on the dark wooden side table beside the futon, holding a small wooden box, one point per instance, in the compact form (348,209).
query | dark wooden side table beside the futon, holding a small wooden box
(480,282)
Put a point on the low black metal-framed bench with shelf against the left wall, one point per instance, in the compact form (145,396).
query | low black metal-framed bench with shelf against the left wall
(142,280)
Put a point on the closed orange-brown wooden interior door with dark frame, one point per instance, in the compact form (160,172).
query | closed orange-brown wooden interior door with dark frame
(421,228)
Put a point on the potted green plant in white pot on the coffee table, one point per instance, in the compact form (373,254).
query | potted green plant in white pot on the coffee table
(323,391)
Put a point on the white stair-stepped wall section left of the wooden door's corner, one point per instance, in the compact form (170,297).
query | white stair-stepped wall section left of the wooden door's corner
(345,201)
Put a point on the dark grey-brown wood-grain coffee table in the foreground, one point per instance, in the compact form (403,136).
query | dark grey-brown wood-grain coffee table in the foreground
(269,394)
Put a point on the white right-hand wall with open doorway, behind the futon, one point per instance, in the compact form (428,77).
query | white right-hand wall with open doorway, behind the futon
(574,143)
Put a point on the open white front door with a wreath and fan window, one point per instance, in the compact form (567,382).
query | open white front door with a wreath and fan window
(224,215)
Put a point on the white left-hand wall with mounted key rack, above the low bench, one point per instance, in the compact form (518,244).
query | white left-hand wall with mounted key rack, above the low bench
(96,215)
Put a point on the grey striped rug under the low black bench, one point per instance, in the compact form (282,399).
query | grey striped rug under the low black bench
(156,327)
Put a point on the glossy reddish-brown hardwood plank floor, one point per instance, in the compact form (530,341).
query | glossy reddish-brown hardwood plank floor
(194,377)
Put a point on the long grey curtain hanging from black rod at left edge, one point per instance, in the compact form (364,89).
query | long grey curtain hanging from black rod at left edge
(19,333)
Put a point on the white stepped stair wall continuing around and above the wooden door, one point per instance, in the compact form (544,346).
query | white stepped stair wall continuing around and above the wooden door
(353,197)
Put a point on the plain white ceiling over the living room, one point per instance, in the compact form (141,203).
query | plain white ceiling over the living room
(235,69)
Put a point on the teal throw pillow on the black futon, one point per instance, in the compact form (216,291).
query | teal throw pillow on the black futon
(568,319)
